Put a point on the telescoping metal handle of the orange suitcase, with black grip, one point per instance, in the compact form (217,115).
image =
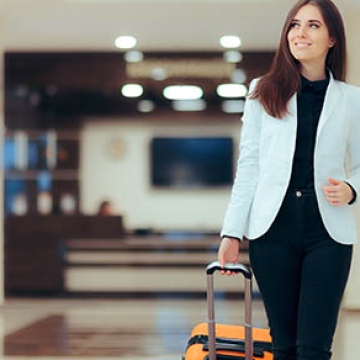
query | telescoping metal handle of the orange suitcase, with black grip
(246,272)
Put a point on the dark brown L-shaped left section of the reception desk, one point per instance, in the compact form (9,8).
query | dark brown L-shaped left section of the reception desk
(35,248)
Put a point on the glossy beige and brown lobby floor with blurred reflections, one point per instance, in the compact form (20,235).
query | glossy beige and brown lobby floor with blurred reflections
(127,329)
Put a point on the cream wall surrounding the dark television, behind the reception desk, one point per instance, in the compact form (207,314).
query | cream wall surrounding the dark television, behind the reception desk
(125,178)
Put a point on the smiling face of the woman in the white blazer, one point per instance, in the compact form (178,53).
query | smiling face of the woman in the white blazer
(308,37)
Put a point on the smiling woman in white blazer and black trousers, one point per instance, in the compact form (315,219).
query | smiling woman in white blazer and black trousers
(292,196)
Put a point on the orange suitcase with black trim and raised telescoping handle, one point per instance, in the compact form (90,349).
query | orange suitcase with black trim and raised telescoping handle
(211,341)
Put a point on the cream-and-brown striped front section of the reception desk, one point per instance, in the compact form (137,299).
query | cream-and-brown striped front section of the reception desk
(152,265)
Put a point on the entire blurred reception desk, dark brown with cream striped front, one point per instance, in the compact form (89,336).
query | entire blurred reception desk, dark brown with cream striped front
(91,256)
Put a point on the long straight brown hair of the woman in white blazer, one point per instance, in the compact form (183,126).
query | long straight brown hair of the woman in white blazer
(275,88)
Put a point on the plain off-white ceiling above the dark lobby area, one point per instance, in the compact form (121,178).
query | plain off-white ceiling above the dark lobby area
(166,25)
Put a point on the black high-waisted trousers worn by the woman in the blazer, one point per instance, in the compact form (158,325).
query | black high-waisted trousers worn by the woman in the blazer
(301,273)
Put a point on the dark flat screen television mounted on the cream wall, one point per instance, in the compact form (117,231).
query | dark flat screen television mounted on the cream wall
(191,162)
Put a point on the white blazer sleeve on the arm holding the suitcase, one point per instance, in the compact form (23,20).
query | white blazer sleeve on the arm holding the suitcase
(247,171)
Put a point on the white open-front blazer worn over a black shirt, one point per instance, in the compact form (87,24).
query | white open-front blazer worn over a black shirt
(267,147)
